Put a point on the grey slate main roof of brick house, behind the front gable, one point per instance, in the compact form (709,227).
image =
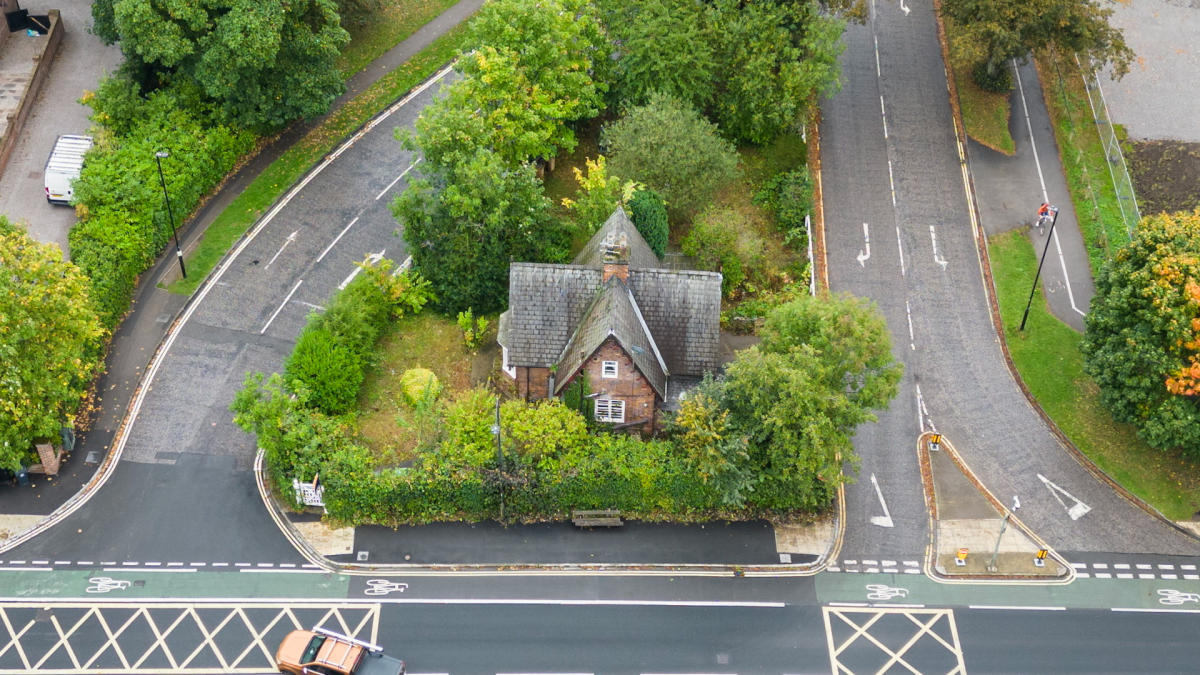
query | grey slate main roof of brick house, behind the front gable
(549,302)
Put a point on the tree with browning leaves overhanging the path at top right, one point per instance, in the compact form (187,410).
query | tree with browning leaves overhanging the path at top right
(993,32)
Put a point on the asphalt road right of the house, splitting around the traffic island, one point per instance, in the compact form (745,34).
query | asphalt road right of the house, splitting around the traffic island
(925,273)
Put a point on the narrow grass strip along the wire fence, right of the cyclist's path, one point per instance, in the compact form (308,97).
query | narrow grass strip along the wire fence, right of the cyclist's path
(1082,152)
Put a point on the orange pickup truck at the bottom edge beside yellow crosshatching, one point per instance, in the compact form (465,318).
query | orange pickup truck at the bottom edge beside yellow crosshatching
(325,653)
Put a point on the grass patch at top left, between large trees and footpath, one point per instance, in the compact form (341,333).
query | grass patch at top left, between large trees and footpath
(381,29)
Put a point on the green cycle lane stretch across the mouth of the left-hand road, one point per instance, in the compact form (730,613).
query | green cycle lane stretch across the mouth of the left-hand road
(113,584)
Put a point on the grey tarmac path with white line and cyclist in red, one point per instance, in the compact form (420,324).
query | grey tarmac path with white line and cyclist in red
(1010,190)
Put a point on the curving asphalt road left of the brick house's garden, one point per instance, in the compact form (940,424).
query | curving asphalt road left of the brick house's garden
(184,488)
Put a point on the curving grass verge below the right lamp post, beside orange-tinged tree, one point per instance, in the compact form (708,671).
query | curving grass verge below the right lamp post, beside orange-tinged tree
(1049,361)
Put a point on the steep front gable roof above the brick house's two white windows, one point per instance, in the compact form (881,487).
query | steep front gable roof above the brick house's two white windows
(614,313)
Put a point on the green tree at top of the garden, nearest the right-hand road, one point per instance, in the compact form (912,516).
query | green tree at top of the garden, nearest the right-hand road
(775,61)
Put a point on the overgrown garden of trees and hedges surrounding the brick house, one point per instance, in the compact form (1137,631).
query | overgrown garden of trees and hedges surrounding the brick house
(695,115)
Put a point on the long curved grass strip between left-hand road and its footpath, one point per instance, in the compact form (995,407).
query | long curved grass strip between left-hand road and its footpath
(278,178)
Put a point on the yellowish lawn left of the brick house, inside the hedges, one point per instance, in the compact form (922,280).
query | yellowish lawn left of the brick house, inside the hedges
(386,423)
